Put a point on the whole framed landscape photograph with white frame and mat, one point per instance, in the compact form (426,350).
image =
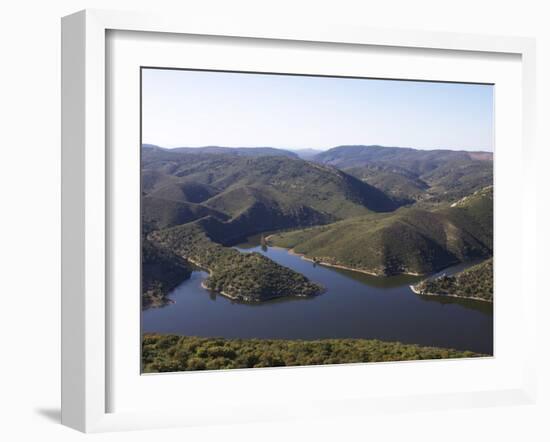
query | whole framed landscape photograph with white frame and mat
(252,212)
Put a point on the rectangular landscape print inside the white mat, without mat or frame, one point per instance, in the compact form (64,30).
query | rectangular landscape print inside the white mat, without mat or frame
(297,220)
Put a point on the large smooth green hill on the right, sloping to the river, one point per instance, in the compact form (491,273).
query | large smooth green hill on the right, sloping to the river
(409,240)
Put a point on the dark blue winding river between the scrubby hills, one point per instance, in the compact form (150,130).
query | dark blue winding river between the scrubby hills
(354,305)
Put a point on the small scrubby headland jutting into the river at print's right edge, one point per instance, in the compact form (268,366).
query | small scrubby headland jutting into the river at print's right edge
(475,282)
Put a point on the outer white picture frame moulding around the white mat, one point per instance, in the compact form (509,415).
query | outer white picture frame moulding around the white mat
(86,209)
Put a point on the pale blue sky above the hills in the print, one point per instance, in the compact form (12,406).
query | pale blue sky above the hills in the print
(196,108)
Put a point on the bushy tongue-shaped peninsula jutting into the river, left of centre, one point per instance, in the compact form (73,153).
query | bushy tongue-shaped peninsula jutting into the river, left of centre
(249,277)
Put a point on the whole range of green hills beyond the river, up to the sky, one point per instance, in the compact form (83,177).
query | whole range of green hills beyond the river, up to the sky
(194,204)
